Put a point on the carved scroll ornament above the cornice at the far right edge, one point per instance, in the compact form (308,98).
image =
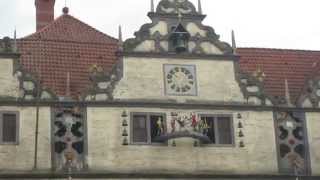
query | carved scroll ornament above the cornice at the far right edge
(311,93)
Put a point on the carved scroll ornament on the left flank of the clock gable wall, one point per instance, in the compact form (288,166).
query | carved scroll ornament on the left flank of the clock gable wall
(102,83)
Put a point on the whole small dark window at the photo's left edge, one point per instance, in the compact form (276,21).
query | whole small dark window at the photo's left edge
(9,128)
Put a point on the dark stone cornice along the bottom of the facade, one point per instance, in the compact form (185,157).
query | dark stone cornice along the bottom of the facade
(149,175)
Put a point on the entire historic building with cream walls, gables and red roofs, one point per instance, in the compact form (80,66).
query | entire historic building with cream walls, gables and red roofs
(172,102)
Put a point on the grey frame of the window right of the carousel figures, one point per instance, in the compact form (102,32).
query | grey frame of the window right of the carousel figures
(216,132)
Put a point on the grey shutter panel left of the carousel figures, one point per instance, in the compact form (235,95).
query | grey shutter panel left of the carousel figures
(139,133)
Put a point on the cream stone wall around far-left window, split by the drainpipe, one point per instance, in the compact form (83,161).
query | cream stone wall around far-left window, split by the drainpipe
(21,156)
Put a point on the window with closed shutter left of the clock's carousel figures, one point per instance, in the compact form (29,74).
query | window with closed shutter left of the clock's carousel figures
(145,127)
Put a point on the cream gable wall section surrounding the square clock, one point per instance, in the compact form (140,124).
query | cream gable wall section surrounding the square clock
(144,79)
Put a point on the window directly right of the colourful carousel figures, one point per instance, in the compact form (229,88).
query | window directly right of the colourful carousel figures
(219,129)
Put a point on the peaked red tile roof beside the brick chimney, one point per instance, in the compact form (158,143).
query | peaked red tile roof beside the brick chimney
(67,45)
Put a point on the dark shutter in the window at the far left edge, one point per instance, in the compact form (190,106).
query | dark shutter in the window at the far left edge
(9,126)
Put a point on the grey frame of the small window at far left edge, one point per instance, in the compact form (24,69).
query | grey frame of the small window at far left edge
(17,140)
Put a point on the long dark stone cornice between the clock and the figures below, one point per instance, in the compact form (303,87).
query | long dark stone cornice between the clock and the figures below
(164,104)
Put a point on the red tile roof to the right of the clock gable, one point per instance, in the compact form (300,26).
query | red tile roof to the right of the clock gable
(278,64)
